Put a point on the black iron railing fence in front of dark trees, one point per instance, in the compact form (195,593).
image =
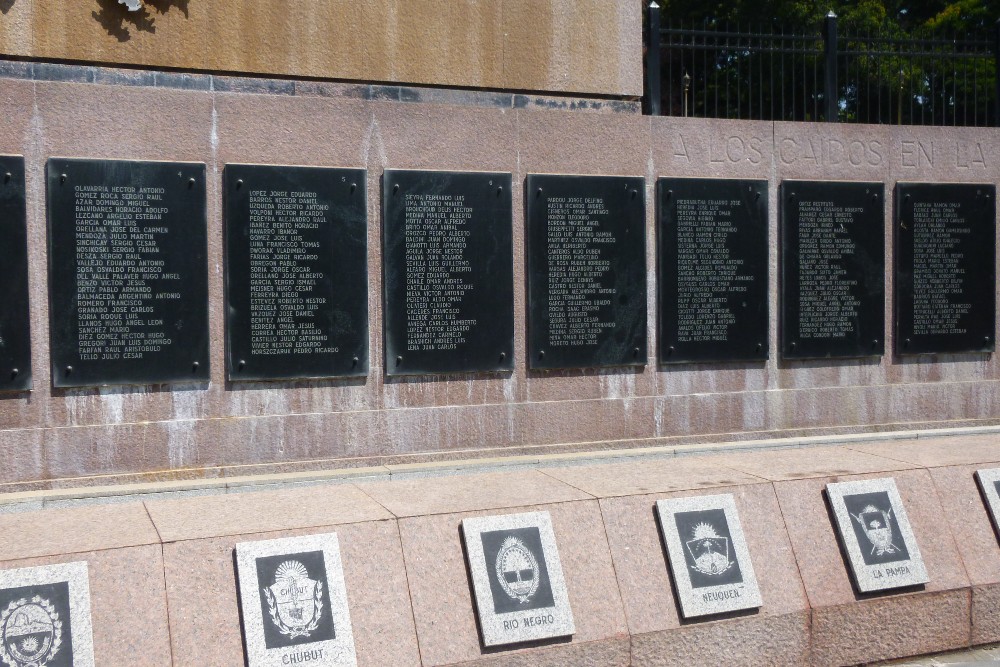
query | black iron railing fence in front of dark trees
(713,71)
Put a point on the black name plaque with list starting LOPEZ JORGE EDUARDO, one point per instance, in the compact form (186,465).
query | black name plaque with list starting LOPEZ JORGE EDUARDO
(296,272)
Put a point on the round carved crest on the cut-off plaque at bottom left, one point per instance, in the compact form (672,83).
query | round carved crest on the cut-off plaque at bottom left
(32,632)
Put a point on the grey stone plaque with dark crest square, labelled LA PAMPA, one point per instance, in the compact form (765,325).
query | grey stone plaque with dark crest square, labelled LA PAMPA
(871,523)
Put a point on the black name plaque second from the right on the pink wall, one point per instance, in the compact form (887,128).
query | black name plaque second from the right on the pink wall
(832,269)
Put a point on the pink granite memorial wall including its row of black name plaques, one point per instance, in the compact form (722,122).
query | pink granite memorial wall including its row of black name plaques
(235,282)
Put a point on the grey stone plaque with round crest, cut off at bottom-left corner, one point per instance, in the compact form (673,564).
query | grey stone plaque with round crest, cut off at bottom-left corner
(45,616)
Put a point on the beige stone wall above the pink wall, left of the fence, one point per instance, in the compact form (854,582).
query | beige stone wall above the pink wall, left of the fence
(561,46)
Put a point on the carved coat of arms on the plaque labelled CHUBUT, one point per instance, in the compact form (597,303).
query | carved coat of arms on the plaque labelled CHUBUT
(294,600)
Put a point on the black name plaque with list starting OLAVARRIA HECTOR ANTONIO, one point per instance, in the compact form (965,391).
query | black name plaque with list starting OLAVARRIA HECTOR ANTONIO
(128,279)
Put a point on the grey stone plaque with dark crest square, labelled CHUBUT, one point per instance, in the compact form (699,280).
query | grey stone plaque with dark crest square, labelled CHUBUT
(294,602)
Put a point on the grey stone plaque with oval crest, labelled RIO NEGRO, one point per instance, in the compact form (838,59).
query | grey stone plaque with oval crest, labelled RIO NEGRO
(517,578)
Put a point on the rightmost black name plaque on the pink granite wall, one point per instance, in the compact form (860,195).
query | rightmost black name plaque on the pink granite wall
(945,271)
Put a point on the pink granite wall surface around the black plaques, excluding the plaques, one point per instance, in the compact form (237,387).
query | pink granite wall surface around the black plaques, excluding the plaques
(219,429)
